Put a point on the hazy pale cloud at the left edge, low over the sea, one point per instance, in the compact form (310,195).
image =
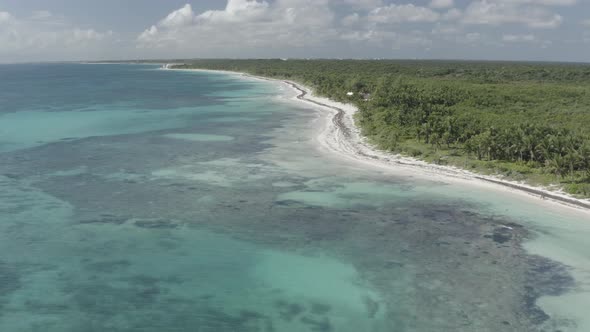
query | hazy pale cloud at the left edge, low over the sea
(42,33)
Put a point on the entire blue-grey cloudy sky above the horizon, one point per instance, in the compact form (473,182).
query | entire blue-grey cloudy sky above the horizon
(66,30)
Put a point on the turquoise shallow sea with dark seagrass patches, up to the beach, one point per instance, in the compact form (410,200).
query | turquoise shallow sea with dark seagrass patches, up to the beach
(135,199)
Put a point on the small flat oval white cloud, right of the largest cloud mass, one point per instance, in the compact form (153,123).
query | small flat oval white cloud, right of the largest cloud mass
(403,13)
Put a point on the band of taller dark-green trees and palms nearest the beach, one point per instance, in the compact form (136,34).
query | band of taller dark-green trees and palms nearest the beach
(398,111)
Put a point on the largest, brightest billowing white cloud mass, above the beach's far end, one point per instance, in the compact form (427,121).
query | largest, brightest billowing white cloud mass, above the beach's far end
(246,25)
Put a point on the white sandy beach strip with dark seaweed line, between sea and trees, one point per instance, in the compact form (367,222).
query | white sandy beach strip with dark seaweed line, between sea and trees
(343,137)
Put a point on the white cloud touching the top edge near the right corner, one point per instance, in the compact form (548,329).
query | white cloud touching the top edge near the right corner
(498,12)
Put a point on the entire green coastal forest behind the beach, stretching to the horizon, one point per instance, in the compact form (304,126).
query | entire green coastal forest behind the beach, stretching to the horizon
(524,121)
